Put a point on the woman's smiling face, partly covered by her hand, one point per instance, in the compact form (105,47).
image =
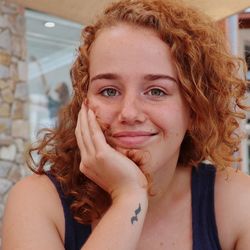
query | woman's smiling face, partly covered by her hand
(134,89)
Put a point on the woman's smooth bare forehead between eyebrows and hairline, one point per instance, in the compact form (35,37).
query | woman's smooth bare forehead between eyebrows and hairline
(129,46)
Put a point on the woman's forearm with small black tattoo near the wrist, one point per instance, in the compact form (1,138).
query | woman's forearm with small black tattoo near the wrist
(121,226)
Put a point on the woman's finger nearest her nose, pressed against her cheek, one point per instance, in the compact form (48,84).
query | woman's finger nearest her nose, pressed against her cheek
(97,135)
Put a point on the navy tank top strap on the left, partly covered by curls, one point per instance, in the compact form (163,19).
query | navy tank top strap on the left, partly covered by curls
(75,233)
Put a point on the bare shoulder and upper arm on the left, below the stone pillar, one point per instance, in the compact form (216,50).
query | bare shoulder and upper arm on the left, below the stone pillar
(33,208)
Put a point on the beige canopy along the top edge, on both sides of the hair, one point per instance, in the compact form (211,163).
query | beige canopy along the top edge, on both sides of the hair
(83,11)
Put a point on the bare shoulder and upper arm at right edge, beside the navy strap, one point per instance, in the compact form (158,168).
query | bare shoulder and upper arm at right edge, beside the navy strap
(232,206)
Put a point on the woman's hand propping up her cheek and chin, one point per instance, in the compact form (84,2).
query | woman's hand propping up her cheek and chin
(101,163)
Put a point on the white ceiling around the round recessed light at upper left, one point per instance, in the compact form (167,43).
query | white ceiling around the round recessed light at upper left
(50,48)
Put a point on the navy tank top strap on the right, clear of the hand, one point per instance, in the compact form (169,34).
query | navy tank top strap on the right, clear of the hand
(205,234)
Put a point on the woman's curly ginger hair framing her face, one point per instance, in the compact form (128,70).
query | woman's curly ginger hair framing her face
(209,80)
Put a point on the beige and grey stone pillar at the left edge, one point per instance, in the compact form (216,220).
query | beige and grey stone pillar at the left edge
(14,125)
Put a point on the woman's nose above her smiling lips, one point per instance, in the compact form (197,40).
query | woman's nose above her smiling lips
(131,111)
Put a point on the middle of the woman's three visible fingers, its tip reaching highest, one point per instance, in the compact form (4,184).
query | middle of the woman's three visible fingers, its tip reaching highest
(85,131)
